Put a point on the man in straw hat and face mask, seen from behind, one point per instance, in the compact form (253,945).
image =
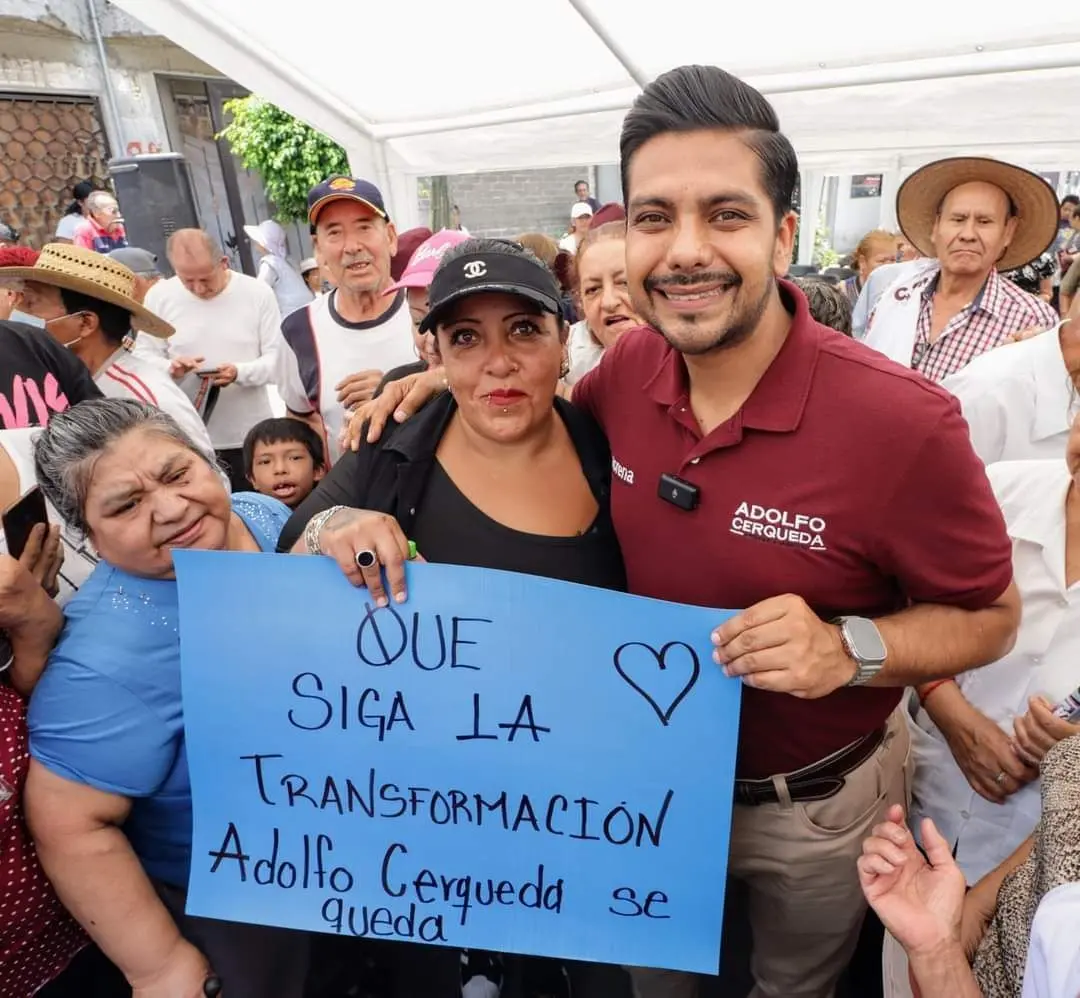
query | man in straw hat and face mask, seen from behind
(88,306)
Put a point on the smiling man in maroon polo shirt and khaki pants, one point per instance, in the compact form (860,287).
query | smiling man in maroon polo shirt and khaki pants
(763,462)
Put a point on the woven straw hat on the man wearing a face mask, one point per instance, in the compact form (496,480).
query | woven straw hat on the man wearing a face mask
(73,268)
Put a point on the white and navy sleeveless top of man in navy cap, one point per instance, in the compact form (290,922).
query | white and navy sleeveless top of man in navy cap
(326,349)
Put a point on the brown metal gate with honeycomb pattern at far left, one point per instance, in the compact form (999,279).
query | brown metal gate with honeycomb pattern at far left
(48,144)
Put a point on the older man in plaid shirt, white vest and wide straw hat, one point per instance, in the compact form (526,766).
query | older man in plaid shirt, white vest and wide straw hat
(977,218)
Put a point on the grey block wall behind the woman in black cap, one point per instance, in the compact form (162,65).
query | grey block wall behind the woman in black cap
(503,205)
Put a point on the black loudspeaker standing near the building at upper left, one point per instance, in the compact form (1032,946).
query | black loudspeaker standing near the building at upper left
(156,200)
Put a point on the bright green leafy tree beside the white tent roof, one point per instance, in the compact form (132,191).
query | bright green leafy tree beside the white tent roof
(291,156)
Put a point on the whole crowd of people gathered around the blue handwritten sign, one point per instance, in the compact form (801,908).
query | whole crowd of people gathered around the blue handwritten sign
(882,477)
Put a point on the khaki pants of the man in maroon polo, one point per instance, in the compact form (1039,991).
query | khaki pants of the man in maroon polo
(799,862)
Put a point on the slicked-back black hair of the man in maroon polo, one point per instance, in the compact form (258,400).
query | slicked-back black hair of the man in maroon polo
(692,99)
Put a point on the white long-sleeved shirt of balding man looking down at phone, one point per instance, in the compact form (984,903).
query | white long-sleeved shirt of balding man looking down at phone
(240,327)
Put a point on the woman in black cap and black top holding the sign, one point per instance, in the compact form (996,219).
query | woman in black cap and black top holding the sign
(498,474)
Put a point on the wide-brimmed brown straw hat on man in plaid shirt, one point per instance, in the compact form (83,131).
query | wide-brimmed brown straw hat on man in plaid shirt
(922,195)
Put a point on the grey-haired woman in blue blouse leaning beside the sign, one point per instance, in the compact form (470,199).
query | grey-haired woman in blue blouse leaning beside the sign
(109,798)
